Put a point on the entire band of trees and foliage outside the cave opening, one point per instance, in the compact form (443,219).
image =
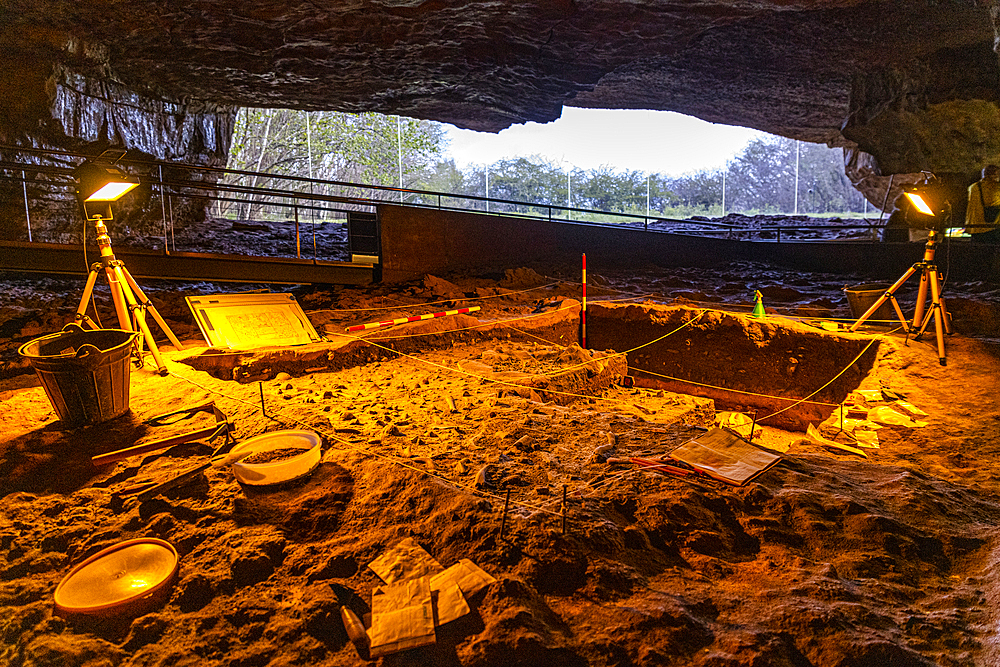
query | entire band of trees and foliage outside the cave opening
(365,149)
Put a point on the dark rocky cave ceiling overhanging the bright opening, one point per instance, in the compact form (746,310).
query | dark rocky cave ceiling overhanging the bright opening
(911,85)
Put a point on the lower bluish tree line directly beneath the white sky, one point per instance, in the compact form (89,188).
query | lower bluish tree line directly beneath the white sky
(761,179)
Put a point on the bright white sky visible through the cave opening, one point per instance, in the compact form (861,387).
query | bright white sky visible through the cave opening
(660,142)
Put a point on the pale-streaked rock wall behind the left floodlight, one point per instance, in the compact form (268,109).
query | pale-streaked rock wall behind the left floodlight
(75,113)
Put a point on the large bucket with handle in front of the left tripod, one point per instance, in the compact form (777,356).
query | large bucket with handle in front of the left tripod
(84,373)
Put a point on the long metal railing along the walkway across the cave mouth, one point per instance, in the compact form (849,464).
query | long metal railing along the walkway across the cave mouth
(287,196)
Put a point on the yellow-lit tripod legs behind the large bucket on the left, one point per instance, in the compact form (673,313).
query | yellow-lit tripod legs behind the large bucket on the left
(124,293)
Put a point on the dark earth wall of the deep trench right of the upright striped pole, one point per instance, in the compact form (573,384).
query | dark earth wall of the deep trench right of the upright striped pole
(743,363)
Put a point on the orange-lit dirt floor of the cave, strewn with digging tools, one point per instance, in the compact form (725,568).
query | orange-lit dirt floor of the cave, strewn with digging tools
(876,556)
